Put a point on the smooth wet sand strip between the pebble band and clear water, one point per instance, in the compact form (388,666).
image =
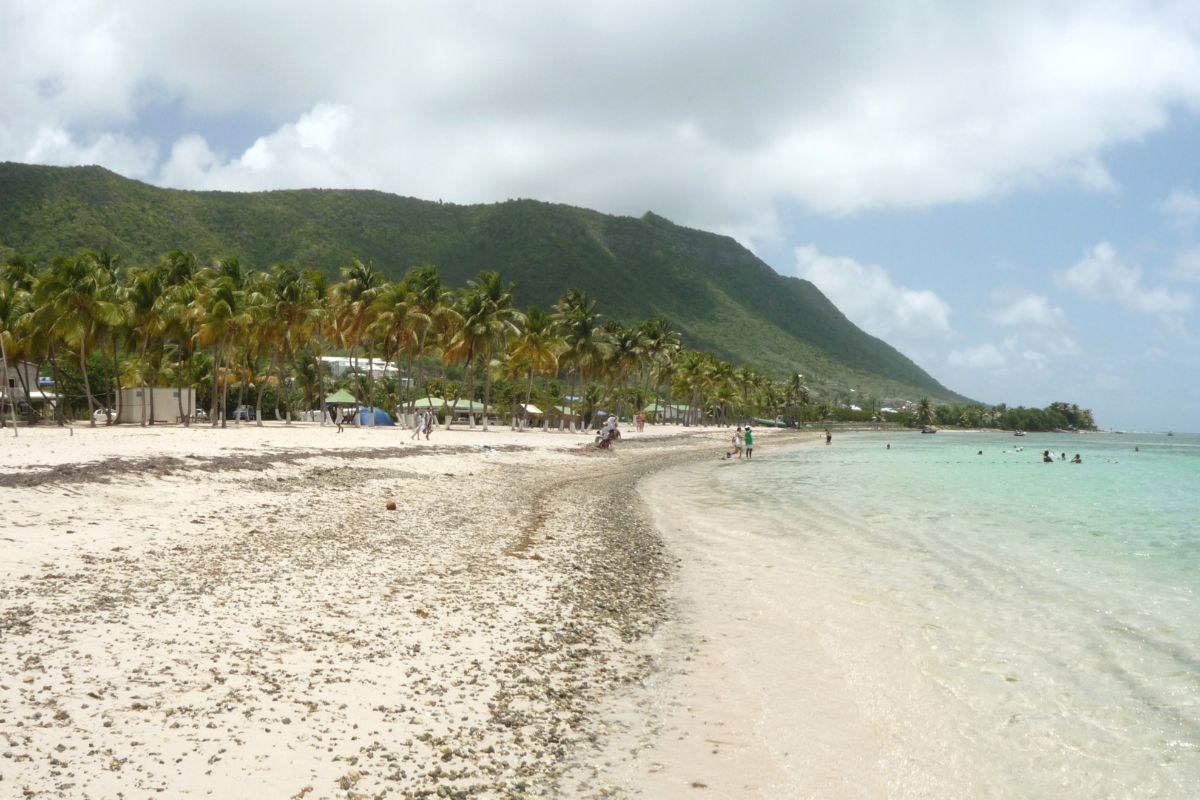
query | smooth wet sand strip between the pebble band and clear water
(737,715)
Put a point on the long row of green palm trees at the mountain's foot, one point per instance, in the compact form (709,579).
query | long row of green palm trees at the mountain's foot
(248,338)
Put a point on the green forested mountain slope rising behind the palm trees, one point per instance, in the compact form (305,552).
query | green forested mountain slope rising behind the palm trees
(718,294)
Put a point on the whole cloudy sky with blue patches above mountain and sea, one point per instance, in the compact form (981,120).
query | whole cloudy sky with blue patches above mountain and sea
(1007,193)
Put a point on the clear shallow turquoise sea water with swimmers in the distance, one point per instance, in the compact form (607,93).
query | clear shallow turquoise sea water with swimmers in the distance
(1040,622)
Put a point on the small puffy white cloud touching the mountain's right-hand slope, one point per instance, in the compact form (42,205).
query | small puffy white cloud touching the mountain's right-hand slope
(868,297)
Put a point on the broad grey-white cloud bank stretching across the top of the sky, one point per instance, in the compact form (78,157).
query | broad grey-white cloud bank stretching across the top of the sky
(716,116)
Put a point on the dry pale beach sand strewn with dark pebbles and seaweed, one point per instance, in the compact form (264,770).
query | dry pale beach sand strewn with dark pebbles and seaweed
(195,612)
